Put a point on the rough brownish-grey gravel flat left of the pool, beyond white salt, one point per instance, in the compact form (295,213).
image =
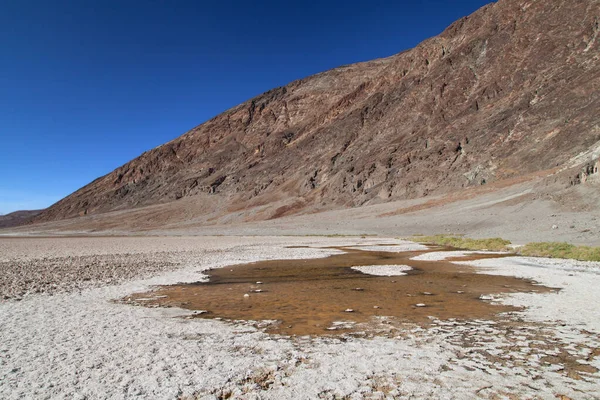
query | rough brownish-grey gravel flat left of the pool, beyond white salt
(55,265)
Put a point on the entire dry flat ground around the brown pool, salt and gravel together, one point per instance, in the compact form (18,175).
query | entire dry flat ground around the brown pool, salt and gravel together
(63,335)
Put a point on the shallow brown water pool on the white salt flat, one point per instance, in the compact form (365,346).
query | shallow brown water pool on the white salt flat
(307,296)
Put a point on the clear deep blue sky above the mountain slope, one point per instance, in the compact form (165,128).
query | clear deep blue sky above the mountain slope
(87,85)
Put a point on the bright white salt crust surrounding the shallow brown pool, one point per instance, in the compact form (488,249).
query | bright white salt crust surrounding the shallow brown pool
(82,345)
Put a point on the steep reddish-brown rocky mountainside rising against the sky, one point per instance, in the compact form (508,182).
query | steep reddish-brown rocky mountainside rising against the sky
(512,89)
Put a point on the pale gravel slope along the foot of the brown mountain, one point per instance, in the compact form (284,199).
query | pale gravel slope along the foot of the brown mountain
(501,213)
